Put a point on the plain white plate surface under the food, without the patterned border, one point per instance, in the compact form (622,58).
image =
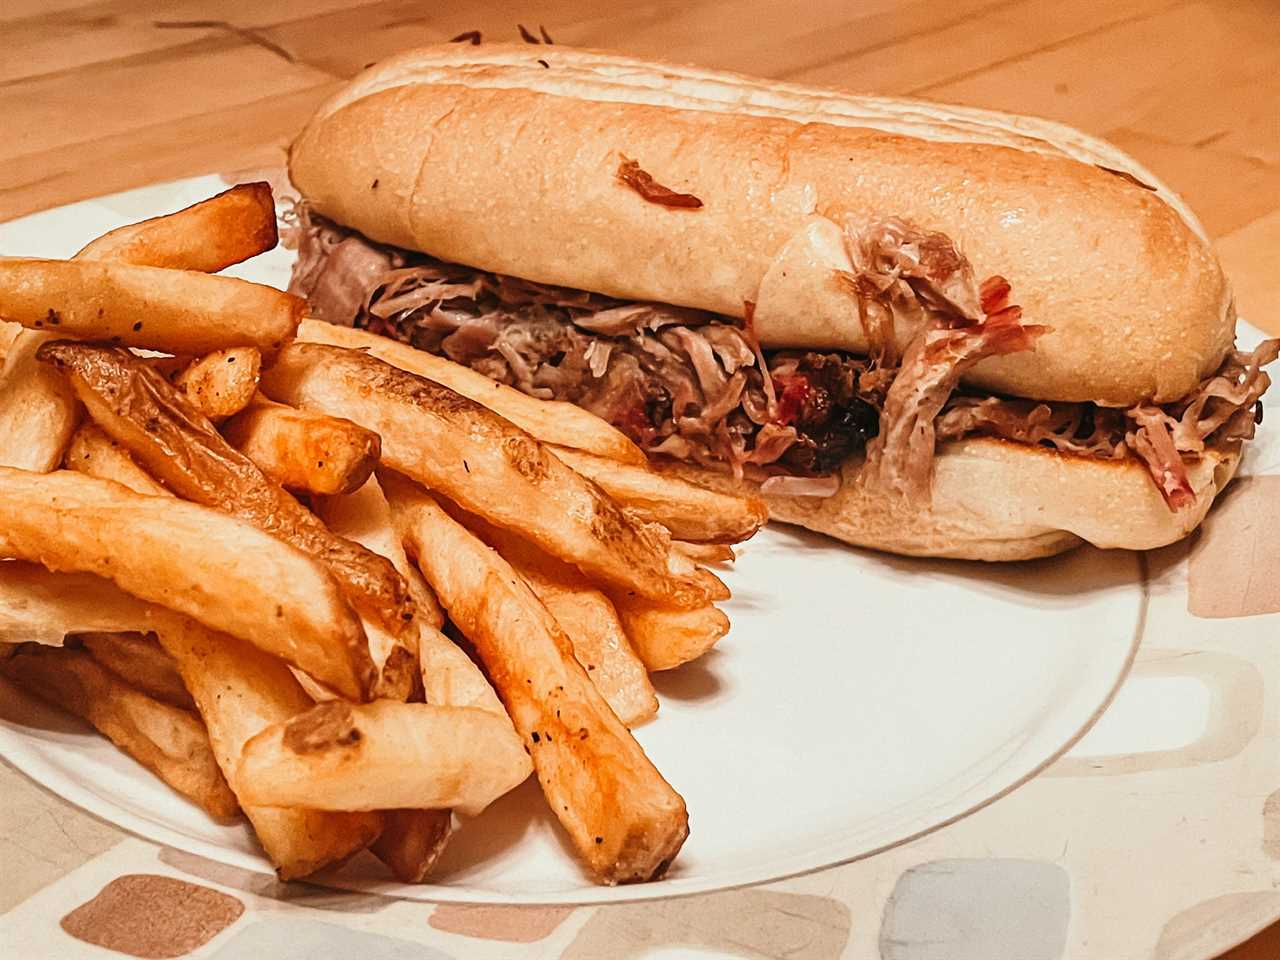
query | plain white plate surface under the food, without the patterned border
(860,701)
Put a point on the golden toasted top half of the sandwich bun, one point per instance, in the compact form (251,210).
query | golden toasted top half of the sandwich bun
(484,156)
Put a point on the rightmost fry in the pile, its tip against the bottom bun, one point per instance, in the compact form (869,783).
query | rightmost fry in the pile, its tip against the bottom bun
(691,513)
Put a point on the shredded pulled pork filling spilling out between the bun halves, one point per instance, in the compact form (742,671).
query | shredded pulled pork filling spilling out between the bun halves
(697,387)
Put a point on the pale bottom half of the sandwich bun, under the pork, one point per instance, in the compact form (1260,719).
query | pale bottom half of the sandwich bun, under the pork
(1002,501)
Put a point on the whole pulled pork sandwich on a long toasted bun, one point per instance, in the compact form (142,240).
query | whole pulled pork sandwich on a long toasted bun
(918,328)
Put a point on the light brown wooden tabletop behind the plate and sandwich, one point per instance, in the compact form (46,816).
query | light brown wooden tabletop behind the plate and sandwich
(103,95)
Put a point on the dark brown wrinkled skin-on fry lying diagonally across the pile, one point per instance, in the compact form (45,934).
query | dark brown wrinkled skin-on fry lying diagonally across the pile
(168,436)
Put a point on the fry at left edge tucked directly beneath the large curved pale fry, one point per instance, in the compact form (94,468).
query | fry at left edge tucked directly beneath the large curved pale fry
(44,607)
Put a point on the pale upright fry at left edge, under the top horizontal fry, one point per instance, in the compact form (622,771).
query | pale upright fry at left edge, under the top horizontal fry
(39,410)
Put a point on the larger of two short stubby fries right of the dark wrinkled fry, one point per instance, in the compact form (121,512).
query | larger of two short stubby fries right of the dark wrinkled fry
(304,451)
